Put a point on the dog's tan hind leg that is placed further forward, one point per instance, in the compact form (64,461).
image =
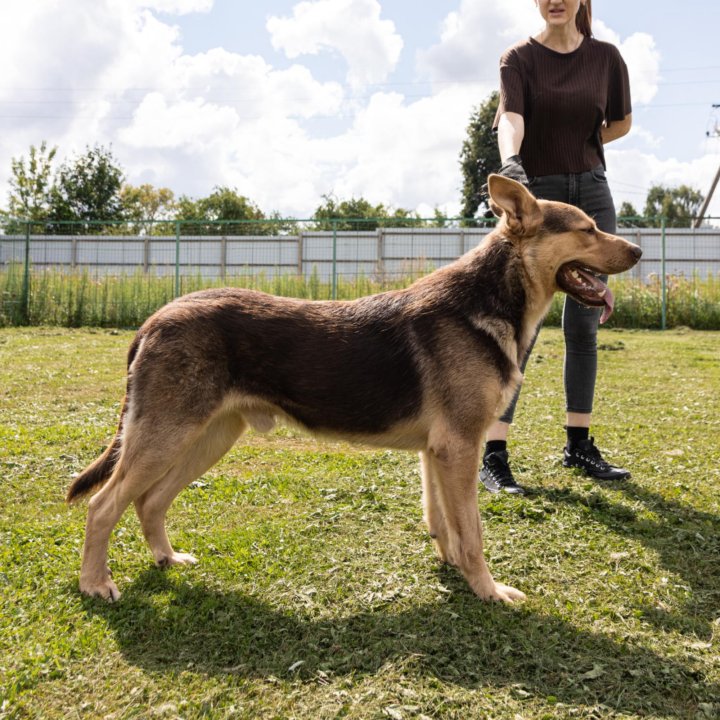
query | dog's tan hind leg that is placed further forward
(152,506)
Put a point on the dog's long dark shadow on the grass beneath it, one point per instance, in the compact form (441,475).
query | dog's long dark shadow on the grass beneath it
(165,624)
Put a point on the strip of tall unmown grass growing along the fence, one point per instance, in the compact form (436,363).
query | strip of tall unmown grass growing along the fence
(82,300)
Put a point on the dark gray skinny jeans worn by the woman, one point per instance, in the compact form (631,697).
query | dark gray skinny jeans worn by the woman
(590,192)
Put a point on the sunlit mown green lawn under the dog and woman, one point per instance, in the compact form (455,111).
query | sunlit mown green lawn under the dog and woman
(318,595)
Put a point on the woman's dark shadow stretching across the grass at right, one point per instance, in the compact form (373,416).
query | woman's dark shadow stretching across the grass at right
(686,540)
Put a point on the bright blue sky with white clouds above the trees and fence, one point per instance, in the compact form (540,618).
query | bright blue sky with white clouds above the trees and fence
(288,102)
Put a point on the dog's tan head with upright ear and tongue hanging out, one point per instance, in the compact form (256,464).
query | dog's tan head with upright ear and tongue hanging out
(567,249)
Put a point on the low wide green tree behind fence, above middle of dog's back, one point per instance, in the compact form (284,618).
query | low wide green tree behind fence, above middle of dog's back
(359,214)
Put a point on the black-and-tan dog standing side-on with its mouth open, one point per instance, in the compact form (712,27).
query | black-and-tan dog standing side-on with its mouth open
(427,368)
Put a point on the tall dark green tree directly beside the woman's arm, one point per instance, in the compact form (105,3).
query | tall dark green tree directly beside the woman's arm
(478,158)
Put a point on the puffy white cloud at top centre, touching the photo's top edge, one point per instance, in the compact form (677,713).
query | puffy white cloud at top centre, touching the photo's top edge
(353,28)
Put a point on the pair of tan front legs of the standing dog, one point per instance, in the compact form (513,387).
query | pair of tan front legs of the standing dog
(453,468)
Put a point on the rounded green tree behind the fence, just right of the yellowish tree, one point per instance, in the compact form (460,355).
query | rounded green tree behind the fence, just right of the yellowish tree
(202,216)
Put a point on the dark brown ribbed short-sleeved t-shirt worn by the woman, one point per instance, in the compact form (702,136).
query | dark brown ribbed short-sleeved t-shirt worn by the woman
(564,99)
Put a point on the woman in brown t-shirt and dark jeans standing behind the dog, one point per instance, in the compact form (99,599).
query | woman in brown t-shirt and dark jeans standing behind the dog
(563,96)
